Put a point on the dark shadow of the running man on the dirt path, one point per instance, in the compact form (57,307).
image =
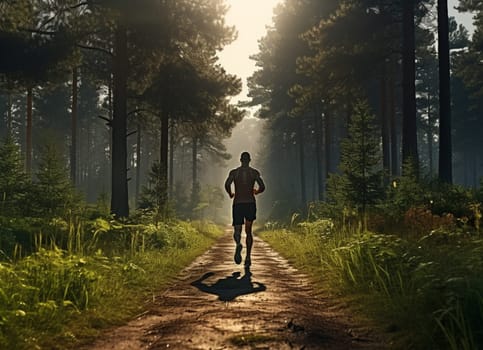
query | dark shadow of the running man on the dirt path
(230,287)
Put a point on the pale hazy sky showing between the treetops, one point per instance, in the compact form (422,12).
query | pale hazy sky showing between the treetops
(250,17)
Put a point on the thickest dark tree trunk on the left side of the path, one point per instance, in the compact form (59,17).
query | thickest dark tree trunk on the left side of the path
(119,194)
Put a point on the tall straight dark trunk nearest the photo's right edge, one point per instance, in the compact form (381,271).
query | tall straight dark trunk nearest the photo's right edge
(445,147)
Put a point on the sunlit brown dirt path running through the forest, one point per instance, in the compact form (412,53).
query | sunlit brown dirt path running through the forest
(215,304)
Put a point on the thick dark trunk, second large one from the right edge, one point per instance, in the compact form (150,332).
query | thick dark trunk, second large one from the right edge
(409,136)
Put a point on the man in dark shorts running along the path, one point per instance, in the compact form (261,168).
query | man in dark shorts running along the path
(244,206)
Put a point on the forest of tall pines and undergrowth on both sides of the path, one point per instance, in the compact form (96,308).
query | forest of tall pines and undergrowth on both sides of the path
(115,118)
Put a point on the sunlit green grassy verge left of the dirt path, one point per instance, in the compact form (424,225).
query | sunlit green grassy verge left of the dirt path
(53,299)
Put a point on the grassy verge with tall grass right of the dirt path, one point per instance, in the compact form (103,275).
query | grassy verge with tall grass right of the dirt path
(425,293)
